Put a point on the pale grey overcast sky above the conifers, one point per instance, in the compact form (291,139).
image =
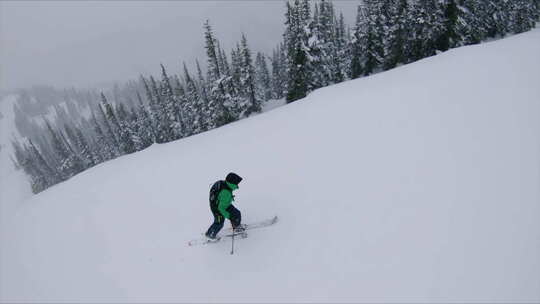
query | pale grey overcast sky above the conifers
(89,43)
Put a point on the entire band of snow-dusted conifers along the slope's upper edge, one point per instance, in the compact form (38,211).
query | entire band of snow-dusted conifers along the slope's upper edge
(318,49)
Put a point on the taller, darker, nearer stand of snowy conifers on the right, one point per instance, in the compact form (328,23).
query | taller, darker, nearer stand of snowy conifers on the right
(319,50)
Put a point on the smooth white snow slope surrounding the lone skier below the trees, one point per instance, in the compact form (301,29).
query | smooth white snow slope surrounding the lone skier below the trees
(421,184)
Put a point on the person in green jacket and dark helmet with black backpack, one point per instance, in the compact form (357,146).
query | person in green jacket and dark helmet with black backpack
(221,199)
